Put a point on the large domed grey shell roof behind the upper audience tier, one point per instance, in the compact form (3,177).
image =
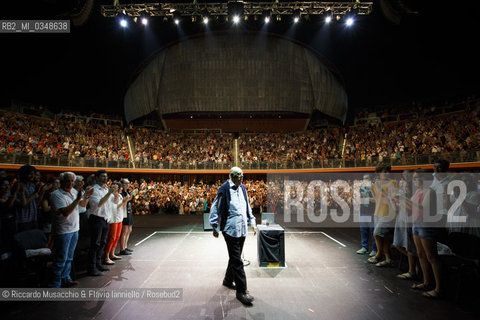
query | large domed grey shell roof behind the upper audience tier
(232,72)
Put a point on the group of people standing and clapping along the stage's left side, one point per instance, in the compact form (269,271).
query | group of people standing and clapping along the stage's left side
(33,209)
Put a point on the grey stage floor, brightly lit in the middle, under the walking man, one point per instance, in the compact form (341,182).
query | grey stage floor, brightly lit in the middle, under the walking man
(324,279)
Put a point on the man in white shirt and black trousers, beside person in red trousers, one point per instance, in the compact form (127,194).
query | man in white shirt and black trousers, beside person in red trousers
(101,203)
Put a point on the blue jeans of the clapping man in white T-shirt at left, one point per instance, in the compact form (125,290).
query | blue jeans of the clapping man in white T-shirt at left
(63,249)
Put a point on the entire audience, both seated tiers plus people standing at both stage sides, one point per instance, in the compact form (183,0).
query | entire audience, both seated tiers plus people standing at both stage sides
(57,206)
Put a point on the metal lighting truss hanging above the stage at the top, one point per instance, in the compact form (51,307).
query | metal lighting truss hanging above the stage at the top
(213,9)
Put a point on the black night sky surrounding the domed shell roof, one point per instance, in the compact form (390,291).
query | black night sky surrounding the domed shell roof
(429,55)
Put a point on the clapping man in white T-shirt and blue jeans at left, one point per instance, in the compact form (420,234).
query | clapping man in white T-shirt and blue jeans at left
(67,204)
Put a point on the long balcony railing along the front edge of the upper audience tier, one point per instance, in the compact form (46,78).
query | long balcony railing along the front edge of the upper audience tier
(408,160)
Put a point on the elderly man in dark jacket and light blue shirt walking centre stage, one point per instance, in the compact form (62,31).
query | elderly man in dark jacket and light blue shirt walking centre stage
(232,207)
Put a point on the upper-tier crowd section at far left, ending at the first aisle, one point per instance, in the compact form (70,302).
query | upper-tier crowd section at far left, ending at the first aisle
(37,137)
